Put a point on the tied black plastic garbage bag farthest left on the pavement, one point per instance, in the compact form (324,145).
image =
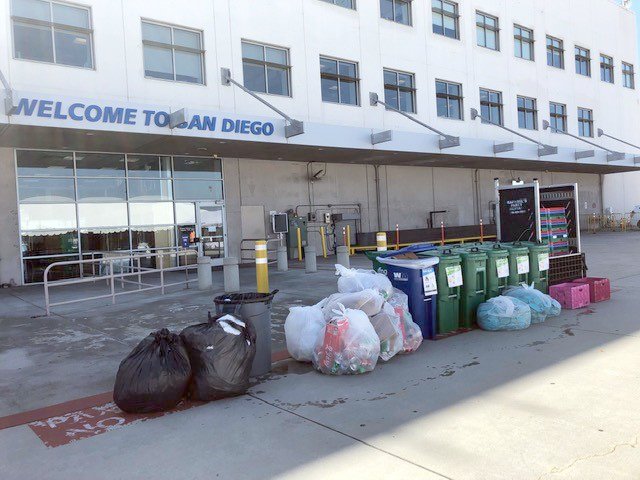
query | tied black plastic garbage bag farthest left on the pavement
(154,376)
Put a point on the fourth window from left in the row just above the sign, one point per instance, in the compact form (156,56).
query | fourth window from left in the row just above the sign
(340,82)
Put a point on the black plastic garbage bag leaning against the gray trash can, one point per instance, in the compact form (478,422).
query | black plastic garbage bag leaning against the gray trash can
(221,352)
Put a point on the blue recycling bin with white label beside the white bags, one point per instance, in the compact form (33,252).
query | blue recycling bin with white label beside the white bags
(416,278)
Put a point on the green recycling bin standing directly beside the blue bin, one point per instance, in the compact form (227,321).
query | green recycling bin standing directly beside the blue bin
(450,281)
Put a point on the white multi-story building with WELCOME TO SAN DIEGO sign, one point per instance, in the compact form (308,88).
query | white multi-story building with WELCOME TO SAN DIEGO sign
(104,76)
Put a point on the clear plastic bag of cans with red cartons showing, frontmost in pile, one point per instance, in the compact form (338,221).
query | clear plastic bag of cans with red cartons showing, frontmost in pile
(347,345)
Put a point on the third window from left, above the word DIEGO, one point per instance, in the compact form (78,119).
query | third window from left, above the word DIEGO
(266,69)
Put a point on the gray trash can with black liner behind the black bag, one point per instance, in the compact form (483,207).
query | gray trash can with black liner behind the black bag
(256,308)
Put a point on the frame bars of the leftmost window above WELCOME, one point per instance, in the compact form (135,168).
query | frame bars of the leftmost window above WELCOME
(51,25)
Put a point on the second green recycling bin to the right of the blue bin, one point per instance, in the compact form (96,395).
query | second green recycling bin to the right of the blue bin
(474,288)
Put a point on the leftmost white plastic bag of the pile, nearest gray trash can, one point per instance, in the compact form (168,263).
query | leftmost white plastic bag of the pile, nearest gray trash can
(302,329)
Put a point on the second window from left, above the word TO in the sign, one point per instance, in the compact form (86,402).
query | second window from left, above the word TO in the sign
(172,53)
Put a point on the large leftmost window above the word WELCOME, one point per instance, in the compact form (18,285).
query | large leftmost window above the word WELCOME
(52,32)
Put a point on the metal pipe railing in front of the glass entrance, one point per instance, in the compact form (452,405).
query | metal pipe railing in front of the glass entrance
(125,269)
